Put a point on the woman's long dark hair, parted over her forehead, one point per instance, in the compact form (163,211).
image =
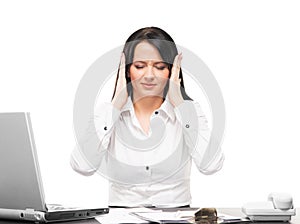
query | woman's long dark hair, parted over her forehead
(165,45)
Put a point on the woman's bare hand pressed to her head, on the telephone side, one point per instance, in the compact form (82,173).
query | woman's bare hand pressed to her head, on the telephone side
(174,93)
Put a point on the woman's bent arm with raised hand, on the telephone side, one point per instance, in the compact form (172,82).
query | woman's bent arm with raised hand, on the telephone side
(194,125)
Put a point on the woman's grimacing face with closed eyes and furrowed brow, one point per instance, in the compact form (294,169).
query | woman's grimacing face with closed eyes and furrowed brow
(148,73)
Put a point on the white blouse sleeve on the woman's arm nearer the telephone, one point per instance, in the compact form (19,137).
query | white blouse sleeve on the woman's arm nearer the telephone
(197,136)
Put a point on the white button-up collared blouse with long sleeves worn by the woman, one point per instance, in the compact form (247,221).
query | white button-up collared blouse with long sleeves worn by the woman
(147,169)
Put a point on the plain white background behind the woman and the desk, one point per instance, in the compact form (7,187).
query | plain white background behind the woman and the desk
(252,48)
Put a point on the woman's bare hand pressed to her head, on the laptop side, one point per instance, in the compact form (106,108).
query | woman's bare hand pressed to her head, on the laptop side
(121,94)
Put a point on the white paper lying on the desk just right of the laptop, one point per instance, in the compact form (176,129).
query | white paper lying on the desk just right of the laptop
(122,215)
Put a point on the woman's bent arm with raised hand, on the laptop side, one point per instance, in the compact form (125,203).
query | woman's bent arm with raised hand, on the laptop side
(91,150)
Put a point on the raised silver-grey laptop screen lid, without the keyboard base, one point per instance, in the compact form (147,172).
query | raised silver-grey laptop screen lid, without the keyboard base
(20,180)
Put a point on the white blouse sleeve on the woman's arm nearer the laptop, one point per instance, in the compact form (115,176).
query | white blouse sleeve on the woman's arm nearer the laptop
(92,147)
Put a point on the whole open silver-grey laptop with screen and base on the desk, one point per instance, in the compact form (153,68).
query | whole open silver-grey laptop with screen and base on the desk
(21,187)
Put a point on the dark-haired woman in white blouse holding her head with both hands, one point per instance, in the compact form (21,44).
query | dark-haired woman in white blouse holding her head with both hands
(148,135)
